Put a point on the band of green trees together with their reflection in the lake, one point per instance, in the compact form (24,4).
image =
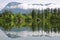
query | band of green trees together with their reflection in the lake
(47,19)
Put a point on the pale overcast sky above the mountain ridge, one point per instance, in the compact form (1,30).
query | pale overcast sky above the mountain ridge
(3,3)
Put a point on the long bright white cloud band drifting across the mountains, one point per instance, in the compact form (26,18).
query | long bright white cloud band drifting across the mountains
(31,6)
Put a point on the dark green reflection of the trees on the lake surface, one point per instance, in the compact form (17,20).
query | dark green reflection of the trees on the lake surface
(34,26)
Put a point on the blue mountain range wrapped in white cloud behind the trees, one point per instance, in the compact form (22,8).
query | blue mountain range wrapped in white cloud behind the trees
(24,7)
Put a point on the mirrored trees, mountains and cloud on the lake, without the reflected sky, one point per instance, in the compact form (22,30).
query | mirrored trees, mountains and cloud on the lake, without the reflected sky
(26,29)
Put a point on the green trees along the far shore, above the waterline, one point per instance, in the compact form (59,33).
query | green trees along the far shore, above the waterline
(35,15)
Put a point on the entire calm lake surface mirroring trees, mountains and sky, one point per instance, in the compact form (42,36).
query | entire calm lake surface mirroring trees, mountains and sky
(29,31)
